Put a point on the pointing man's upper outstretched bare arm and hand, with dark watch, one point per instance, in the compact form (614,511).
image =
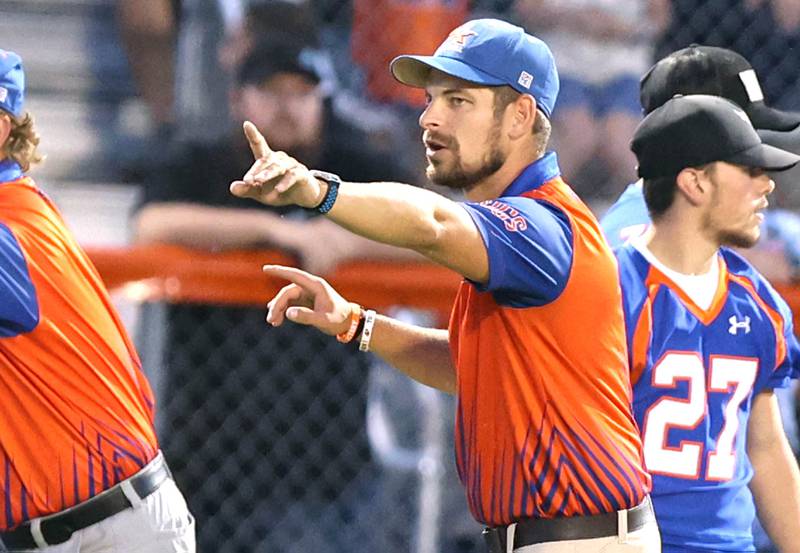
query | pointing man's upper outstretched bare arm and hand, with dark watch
(391,213)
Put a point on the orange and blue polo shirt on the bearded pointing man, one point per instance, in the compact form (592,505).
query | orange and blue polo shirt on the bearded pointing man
(544,426)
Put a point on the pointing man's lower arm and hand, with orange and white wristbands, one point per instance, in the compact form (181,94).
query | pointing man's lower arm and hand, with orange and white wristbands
(421,353)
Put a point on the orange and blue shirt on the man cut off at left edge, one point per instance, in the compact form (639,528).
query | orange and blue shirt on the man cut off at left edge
(77,411)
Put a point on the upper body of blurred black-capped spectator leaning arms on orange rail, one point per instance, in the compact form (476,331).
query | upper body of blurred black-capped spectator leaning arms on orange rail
(278,89)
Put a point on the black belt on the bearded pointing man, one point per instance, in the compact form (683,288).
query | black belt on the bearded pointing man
(541,530)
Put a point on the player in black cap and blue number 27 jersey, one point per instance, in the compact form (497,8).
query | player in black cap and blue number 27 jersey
(709,339)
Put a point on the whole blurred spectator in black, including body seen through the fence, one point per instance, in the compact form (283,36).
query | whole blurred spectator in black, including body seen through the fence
(187,203)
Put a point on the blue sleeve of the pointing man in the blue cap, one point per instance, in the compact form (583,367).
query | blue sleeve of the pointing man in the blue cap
(529,244)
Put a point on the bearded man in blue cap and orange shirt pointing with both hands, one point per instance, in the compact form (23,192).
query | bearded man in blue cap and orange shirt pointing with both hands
(537,314)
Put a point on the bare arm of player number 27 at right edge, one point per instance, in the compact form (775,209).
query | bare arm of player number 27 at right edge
(776,482)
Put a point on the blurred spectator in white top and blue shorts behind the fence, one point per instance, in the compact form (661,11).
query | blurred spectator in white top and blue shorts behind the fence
(602,47)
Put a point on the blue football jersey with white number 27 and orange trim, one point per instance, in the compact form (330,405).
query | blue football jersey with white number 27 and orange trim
(694,373)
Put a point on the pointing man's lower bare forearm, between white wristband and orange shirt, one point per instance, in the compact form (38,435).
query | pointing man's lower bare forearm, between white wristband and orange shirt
(421,353)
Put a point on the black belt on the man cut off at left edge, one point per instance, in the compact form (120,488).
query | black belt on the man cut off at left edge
(59,527)
